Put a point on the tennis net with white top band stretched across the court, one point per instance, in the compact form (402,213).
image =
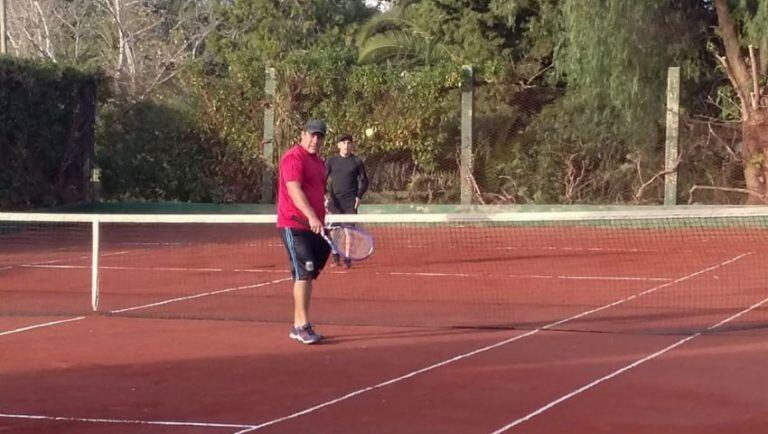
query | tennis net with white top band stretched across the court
(649,270)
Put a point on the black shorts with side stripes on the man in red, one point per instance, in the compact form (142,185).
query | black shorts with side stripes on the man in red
(307,252)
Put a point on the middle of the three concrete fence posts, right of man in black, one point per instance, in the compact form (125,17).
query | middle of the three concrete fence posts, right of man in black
(467,120)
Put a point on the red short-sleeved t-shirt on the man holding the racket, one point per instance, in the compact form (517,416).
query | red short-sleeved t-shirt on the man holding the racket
(309,170)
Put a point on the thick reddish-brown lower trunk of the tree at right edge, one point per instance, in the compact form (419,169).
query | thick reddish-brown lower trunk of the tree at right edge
(754,131)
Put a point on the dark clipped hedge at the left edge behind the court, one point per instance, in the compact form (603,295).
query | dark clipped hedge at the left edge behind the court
(47,116)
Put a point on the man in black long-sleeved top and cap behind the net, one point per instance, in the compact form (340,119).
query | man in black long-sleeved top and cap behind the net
(348,183)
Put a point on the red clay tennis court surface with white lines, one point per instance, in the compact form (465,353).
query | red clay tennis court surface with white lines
(609,338)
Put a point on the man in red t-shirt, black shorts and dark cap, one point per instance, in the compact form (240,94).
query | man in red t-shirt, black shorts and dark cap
(300,220)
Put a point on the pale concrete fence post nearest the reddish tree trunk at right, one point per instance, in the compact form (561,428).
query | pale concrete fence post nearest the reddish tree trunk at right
(672,139)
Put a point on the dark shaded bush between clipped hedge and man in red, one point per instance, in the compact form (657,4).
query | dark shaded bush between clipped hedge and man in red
(149,151)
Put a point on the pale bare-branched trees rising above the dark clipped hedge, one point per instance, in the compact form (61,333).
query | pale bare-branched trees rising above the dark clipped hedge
(141,45)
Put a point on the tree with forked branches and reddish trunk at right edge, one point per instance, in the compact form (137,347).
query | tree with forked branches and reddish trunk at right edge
(747,73)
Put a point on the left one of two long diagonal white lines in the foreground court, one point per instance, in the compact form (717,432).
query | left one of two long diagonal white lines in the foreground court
(488,348)
